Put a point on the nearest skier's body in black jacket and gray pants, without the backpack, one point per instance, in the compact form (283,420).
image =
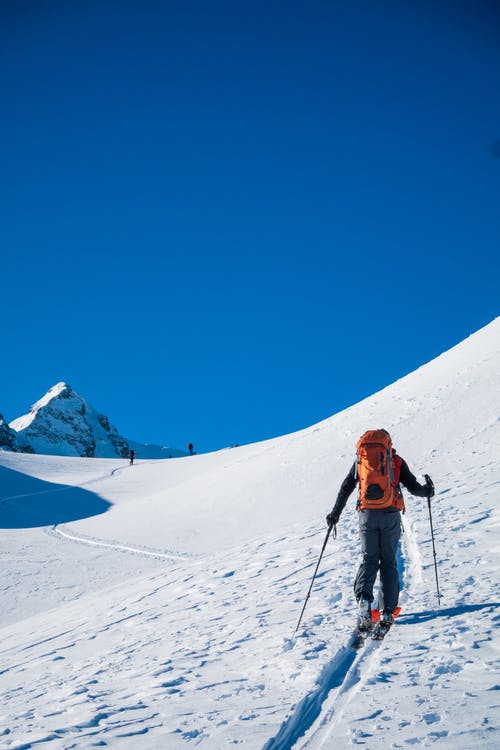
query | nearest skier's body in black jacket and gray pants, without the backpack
(379,532)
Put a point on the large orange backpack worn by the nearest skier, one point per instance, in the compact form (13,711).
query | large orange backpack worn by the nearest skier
(378,487)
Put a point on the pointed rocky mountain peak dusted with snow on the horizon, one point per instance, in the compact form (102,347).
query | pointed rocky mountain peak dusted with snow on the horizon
(63,423)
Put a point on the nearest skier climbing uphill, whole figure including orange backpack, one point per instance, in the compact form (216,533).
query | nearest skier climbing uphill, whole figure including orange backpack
(379,471)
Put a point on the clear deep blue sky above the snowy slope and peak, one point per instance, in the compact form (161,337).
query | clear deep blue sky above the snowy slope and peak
(225,221)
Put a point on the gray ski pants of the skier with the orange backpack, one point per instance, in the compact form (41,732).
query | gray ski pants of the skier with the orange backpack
(379,532)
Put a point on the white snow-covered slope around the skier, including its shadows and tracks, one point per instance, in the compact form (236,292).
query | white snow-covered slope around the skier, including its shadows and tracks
(154,606)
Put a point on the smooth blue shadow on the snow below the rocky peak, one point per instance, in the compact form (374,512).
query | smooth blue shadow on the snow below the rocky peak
(27,502)
